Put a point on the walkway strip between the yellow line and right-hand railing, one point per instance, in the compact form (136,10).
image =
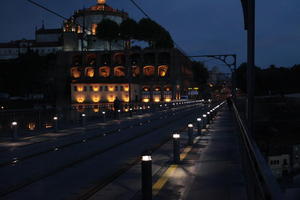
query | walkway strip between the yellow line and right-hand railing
(213,168)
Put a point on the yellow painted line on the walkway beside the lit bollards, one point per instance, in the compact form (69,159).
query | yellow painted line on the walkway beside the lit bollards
(170,171)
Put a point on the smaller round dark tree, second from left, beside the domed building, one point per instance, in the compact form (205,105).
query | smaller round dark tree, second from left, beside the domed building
(128,31)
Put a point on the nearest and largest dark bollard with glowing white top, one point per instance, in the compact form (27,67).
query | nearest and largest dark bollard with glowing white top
(147,177)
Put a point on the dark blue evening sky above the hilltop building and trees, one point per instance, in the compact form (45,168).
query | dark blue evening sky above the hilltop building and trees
(198,26)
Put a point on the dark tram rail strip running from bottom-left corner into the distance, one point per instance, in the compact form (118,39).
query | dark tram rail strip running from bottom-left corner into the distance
(27,182)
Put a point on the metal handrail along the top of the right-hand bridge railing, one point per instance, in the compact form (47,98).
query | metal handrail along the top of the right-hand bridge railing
(267,184)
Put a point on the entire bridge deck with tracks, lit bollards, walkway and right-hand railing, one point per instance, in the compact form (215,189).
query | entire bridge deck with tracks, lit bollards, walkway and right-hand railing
(191,150)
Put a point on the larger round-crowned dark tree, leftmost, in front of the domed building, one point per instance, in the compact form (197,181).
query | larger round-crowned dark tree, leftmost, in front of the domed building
(108,30)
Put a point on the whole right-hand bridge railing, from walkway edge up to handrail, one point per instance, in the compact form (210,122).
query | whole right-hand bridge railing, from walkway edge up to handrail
(261,183)
